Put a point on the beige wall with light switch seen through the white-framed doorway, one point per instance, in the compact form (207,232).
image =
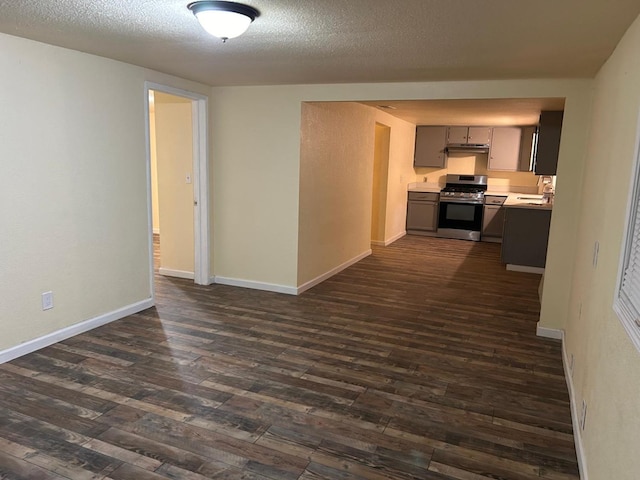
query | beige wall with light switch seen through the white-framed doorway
(174,147)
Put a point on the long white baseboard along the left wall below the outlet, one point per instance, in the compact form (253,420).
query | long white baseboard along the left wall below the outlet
(76,329)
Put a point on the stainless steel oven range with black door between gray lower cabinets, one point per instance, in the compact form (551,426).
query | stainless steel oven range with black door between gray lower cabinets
(461,205)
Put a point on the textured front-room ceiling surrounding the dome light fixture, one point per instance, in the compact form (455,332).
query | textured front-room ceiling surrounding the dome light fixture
(339,41)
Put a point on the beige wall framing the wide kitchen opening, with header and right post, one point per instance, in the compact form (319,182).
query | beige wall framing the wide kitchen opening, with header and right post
(256,160)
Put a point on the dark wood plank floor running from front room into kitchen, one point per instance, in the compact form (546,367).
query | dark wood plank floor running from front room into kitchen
(419,362)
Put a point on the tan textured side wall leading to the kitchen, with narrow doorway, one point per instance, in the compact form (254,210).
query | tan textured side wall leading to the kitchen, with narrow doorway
(337,183)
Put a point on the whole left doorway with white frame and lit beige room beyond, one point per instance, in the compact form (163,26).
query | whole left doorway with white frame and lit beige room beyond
(177,182)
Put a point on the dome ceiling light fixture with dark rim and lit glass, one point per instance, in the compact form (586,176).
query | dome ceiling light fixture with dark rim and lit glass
(224,20)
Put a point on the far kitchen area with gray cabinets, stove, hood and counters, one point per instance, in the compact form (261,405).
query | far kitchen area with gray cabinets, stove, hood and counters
(489,183)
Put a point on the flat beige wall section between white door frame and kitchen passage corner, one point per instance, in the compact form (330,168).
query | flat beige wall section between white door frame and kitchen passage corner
(254,179)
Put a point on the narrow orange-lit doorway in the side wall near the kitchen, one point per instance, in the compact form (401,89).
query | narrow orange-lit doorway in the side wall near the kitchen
(380,181)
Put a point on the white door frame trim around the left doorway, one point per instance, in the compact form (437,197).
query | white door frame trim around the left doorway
(199,108)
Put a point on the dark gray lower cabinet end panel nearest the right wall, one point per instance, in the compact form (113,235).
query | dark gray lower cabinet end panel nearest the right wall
(526,235)
